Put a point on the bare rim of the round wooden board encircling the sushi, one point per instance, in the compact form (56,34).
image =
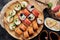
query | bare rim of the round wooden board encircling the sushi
(13,33)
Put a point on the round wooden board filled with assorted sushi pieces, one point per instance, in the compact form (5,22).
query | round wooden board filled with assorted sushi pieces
(21,19)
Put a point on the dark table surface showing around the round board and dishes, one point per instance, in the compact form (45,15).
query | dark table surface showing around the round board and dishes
(3,33)
